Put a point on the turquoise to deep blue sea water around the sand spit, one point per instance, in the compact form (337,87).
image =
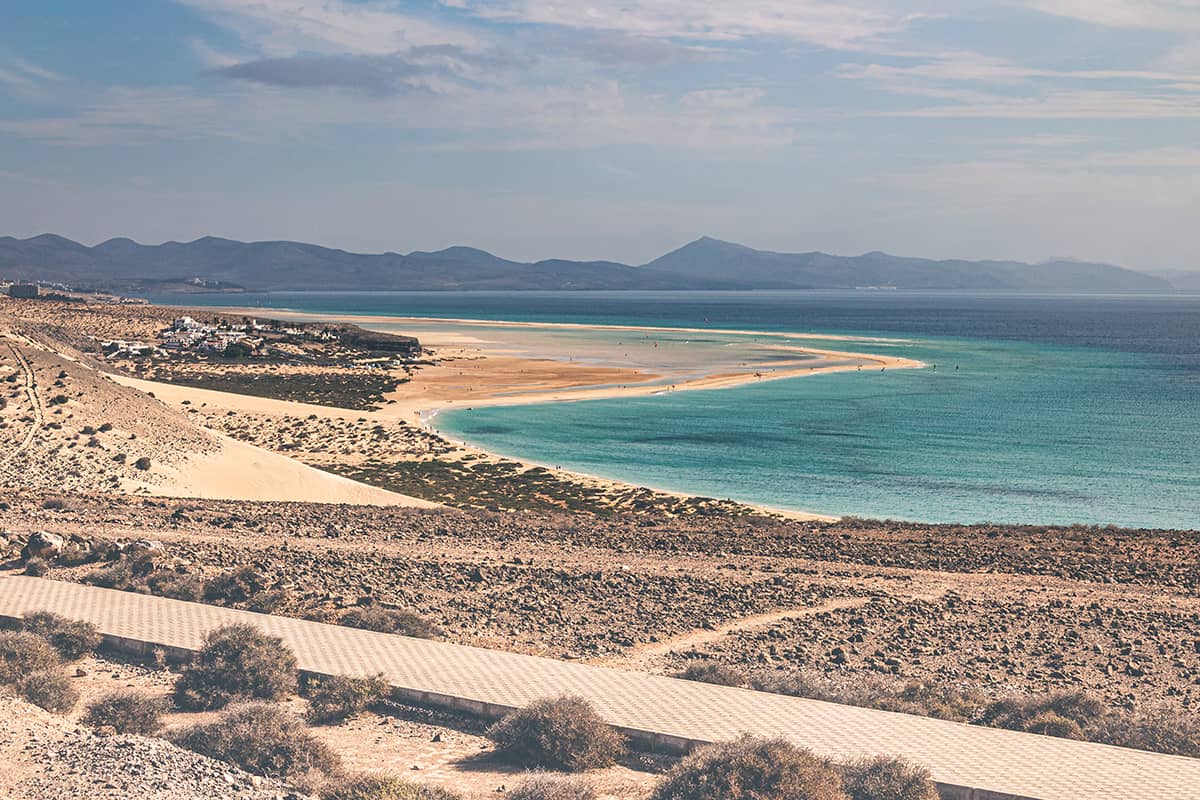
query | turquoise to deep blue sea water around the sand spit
(1063,408)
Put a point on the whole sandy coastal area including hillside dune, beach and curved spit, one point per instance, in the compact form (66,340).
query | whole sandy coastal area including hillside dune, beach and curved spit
(226,432)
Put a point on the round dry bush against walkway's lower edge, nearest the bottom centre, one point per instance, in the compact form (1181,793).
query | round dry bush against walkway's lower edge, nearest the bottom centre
(562,733)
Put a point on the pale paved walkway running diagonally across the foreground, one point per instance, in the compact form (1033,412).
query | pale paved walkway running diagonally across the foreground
(969,762)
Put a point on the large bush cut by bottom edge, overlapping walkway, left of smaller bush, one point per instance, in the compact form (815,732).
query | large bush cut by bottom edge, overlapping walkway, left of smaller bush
(752,769)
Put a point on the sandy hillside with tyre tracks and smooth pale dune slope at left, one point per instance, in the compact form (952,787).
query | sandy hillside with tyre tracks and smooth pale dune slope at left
(65,426)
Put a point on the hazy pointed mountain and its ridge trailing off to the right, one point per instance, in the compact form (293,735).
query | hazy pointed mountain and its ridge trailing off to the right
(711,257)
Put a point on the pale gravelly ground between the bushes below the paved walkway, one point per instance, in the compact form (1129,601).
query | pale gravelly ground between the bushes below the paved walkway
(44,755)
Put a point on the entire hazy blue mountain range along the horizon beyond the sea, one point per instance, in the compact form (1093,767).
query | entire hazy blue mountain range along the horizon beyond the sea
(212,263)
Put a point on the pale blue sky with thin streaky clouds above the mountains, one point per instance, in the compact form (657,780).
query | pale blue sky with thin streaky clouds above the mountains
(611,129)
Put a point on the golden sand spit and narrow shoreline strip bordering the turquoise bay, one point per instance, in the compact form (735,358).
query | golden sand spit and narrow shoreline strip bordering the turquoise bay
(471,372)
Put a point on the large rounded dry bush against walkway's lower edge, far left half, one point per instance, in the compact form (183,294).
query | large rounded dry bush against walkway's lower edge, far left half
(237,663)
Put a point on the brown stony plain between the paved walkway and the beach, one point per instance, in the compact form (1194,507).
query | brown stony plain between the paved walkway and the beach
(992,609)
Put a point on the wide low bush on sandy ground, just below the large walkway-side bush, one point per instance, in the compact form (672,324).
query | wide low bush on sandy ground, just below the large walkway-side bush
(262,739)
